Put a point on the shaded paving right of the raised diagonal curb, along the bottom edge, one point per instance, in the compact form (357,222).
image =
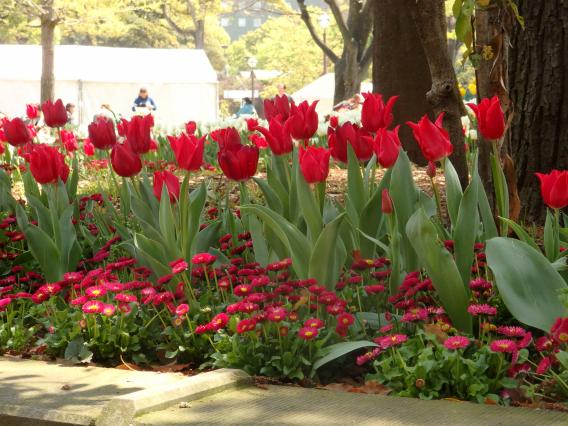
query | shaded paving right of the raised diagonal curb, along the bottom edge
(279,405)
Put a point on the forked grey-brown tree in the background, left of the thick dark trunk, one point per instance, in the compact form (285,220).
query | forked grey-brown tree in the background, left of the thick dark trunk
(355,27)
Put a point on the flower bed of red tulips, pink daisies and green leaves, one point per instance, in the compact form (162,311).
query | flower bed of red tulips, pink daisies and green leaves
(283,280)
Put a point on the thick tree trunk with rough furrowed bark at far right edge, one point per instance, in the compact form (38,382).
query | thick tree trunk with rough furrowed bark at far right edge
(539,95)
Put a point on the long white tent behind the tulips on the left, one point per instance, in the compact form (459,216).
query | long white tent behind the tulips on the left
(182,82)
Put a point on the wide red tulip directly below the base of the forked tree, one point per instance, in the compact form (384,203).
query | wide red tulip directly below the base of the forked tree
(349,133)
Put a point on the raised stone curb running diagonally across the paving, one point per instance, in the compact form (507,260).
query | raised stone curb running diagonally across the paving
(120,411)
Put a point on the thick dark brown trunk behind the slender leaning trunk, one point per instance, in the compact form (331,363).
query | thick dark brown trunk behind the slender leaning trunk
(400,68)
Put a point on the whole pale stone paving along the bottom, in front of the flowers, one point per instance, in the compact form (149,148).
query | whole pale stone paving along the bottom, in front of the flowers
(37,393)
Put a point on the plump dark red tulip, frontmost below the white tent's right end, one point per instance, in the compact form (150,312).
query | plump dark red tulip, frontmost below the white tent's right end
(238,162)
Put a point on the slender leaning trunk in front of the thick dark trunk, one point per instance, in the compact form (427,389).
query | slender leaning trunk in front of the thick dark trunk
(430,19)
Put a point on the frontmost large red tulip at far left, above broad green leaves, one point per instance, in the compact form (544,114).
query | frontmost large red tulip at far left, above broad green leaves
(47,164)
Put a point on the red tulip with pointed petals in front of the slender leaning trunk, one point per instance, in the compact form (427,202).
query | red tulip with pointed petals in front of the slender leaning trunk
(433,139)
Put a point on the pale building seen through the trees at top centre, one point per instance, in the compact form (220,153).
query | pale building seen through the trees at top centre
(248,15)
